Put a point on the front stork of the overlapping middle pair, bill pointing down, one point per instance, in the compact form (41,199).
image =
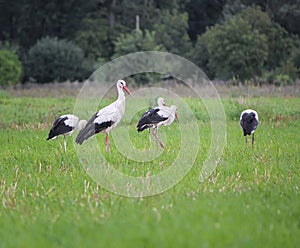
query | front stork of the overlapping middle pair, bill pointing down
(155,117)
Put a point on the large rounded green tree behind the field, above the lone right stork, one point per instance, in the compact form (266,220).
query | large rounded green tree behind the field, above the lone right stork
(236,50)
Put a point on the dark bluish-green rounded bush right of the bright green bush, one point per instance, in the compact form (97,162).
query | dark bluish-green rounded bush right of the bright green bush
(51,59)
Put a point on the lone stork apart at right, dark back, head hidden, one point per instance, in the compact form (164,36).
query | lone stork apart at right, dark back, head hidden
(249,123)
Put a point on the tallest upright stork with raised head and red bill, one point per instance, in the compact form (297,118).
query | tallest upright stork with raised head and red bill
(107,118)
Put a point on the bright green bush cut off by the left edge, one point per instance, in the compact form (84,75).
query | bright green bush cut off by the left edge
(10,68)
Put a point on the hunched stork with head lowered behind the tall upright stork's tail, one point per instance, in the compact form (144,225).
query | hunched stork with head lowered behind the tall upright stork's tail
(65,125)
